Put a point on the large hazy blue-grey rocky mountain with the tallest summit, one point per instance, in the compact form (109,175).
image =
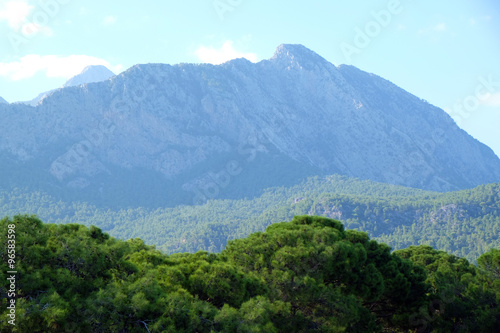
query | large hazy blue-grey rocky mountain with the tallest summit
(159,135)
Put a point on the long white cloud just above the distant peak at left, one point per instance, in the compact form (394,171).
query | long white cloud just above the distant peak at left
(52,65)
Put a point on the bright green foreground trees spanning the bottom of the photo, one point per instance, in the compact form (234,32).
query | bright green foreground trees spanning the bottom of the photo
(307,275)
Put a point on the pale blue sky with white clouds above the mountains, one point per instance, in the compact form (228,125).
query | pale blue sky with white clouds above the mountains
(446,52)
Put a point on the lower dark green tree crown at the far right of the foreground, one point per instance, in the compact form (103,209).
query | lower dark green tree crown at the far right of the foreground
(464,297)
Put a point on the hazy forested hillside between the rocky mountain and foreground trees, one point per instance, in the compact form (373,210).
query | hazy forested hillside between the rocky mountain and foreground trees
(465,223)
